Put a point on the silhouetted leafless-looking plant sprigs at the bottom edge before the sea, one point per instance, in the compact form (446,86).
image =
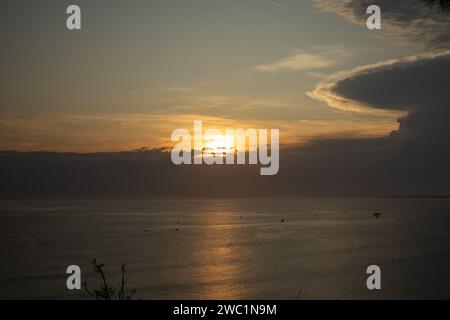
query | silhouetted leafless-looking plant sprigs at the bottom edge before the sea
(106,290)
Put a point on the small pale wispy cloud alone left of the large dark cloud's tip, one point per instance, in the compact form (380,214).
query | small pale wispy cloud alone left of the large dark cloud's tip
(316,58)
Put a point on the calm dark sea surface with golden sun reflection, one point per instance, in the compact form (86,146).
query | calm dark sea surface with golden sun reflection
(229,249)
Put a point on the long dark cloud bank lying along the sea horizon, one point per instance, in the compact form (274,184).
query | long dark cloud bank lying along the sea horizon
(353,168)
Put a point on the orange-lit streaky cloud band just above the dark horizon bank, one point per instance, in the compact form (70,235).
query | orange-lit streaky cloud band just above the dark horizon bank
(100,133)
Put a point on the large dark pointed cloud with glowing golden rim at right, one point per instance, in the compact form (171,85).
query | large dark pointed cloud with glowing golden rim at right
(413,87)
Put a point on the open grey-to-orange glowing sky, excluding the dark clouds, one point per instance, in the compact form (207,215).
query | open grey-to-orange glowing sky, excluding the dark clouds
(140,69)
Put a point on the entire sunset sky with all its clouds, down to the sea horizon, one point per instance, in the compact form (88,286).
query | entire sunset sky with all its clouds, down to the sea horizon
(360,112)
